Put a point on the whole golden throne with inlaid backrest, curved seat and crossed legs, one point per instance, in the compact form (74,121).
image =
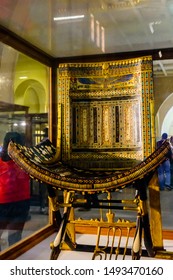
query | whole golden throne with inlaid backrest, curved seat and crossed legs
(105,143)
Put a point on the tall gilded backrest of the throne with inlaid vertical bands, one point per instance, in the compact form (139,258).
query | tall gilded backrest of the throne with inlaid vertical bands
(106,112)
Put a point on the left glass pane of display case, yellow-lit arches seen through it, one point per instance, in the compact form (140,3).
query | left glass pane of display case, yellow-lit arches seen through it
(24,101)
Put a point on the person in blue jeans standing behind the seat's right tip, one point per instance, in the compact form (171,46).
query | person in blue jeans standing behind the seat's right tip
(164,170)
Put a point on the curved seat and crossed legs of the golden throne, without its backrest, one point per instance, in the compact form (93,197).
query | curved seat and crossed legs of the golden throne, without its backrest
(41,164)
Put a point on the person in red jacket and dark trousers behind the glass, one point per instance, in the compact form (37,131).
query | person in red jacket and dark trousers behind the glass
(14,192)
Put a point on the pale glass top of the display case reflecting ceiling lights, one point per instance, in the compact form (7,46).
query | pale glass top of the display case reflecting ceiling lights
(107,26)
